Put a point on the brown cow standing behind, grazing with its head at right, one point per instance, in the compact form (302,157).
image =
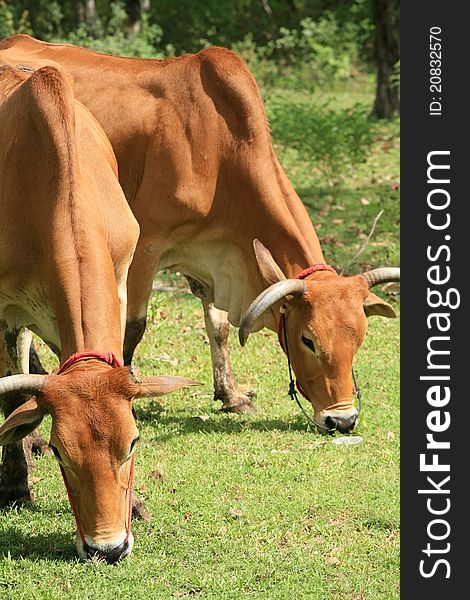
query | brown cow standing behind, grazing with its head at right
(198,169)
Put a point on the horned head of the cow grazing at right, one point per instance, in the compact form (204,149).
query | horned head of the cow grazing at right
(326,322)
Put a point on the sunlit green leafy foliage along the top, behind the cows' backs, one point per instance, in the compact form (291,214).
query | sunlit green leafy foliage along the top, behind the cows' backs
(318,37)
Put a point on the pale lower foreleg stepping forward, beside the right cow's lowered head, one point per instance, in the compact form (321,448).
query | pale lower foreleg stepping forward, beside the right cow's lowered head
(226,389)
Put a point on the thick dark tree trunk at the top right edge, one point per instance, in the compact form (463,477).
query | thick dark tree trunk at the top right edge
(387,54)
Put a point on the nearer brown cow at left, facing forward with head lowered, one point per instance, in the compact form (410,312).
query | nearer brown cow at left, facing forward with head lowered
(67,238)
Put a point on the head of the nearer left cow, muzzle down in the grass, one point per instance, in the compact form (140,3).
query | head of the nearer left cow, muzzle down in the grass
(93,437)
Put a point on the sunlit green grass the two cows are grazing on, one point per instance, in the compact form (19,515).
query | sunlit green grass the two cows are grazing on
(253,506)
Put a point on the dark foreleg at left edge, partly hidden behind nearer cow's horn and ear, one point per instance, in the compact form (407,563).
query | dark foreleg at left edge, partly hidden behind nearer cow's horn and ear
(16,466)
